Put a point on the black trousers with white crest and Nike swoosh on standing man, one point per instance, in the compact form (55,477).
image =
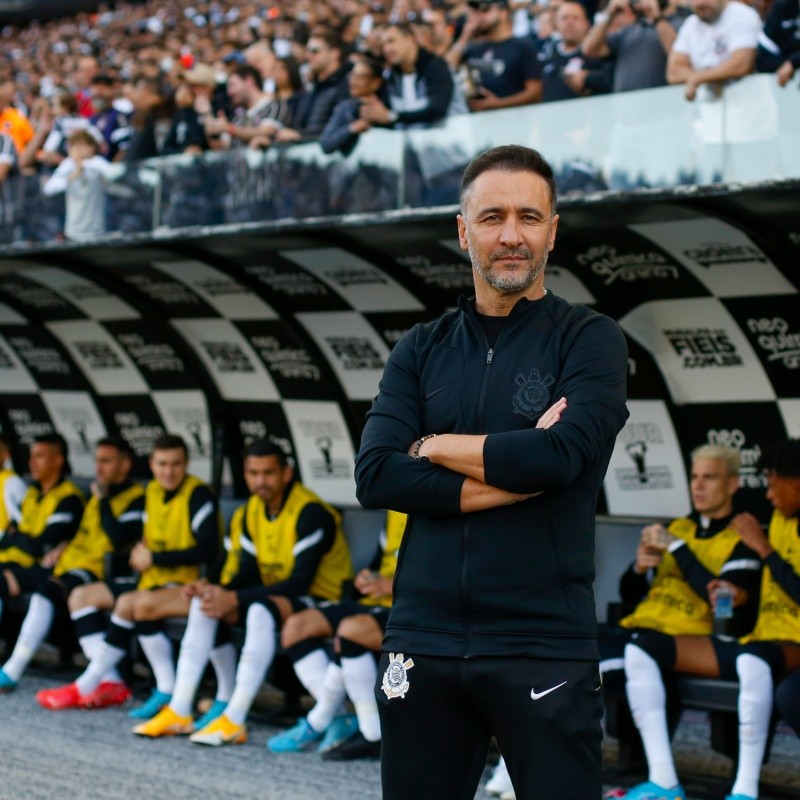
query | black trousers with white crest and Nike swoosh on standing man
(438,716)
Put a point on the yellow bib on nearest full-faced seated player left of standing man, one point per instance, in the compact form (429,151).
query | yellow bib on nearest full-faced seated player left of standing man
(275,543)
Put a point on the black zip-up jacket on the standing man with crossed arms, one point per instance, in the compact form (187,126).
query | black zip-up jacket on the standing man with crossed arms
(517,579)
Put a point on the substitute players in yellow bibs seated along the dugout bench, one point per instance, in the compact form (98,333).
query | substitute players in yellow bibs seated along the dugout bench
(711,594)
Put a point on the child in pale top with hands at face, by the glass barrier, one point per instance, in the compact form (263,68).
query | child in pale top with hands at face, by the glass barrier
(82,177)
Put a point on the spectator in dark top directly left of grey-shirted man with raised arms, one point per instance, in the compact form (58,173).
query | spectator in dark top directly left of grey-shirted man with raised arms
(566,71)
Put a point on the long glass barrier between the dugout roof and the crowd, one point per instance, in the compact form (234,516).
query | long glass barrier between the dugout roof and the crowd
(647,139)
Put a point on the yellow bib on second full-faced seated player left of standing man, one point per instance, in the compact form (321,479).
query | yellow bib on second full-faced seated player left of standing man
(168,526)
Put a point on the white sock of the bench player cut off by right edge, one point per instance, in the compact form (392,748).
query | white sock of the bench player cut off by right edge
(755,710)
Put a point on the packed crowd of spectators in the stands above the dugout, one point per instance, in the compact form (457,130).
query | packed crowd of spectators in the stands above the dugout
(138,80)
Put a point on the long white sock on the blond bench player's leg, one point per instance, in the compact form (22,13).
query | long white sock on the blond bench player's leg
(648,701)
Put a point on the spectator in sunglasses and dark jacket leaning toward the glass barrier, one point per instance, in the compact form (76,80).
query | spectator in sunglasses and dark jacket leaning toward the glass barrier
(329,86)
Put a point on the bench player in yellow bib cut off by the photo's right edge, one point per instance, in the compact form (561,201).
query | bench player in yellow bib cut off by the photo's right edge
(772,650)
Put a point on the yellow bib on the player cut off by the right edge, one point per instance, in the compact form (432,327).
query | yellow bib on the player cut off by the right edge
(778,615)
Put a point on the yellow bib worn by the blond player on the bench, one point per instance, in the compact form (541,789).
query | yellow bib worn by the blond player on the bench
(671,605)
